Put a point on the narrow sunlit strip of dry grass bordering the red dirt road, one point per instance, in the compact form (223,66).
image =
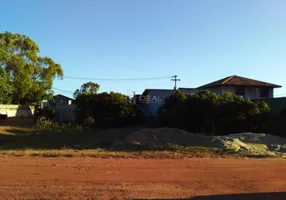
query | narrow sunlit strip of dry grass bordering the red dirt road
(190,152)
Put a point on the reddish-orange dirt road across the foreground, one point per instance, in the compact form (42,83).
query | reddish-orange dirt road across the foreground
(91,178)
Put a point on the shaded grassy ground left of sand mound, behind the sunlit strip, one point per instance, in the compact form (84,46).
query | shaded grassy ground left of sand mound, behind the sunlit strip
(15,135)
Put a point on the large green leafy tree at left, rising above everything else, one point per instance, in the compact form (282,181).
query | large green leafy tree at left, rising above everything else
(30,75)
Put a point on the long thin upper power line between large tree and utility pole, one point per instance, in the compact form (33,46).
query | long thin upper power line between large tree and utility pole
(115,79)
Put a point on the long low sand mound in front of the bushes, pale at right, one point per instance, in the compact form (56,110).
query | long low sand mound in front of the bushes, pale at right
(256,144)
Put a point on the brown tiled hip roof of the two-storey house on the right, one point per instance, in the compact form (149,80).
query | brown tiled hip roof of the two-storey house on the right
(239,81)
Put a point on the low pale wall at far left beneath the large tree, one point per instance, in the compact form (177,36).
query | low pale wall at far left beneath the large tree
(16,110)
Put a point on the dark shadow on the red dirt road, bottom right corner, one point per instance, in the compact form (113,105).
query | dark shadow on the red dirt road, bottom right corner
(250,196)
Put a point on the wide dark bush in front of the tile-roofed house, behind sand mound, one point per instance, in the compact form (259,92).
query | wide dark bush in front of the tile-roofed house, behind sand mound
(209,113)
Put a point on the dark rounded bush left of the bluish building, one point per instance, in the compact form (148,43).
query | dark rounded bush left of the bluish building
(107,109)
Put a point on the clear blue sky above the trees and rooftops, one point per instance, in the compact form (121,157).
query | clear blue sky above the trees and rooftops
(198,40)
